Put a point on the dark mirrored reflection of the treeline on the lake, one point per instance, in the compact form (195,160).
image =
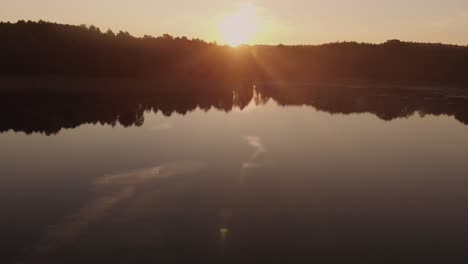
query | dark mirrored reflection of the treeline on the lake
(109,103)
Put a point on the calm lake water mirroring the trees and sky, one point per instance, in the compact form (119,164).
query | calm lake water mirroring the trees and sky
(375,178)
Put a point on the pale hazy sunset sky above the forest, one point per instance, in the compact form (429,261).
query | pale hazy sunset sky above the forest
(276,21)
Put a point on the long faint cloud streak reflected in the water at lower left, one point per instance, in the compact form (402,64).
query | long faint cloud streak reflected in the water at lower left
(118,188)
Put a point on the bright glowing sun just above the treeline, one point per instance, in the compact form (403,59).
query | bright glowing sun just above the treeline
(240,27)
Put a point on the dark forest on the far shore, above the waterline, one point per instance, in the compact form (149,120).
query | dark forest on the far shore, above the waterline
(42,48)
